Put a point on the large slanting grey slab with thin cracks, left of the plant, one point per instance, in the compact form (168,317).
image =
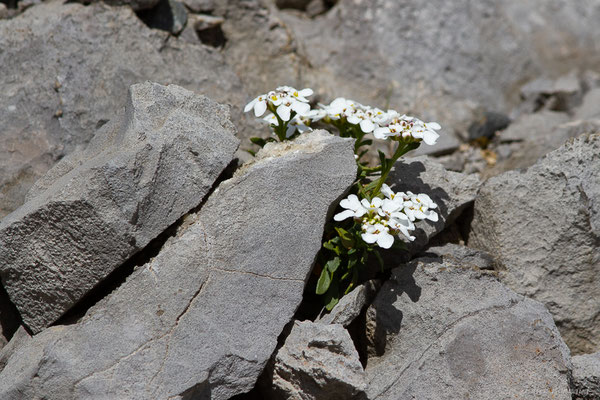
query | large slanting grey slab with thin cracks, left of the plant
(202,318)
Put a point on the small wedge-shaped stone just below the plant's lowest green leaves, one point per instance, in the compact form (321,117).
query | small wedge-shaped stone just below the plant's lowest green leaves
(352,304)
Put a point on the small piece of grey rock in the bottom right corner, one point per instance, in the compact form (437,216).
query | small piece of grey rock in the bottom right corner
(586,377)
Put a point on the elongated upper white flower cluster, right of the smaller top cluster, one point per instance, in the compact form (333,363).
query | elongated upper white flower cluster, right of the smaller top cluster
(383,124)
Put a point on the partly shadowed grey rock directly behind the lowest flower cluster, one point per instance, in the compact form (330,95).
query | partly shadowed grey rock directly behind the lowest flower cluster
(452,192)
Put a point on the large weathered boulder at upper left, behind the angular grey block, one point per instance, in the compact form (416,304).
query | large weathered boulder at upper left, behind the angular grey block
(66,71)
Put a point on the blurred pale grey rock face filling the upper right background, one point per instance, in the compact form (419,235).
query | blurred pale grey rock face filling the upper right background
(448,58)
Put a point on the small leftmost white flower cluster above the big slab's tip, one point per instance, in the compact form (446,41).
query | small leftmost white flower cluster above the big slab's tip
(283,100)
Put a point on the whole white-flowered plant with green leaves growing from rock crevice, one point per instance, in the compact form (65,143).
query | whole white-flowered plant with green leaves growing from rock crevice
(372,215)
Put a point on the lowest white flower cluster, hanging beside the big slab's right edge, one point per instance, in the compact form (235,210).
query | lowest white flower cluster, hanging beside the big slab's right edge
(381,219)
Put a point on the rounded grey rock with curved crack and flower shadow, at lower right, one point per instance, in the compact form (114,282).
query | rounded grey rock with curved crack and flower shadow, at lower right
(443,329)
